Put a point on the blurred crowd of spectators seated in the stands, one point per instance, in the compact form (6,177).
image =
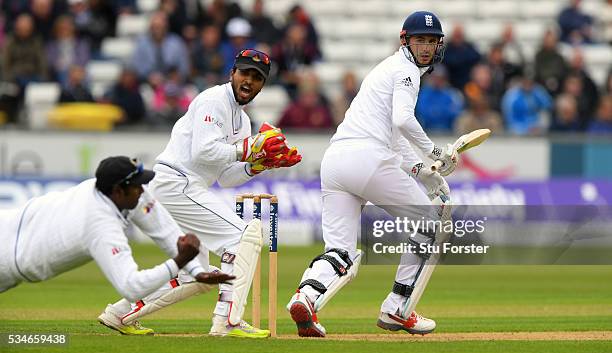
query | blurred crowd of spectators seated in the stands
(190,47)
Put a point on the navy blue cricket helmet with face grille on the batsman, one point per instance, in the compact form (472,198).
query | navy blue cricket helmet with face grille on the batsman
(423,23)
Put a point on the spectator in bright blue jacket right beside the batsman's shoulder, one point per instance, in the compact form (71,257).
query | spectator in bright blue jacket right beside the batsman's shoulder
(438,105)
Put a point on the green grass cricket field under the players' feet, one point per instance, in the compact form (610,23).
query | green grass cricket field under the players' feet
(460,298)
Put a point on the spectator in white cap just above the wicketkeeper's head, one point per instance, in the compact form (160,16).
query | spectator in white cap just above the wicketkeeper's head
(238,31)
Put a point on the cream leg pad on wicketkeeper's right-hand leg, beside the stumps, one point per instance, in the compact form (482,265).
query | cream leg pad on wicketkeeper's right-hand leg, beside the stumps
(244,269)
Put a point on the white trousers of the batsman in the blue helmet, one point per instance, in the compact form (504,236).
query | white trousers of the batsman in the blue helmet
(352,173)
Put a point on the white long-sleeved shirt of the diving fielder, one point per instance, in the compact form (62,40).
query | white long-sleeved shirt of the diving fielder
(63,230)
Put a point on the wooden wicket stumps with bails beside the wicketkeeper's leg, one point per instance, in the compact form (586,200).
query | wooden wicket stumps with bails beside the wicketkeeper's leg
(272,266)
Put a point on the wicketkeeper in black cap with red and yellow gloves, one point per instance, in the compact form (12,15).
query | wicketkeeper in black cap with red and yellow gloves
(212,143)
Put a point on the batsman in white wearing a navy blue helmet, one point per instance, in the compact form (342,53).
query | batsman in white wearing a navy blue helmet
(370,158)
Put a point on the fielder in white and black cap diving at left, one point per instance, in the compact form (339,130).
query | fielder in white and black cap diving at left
(60,231)
